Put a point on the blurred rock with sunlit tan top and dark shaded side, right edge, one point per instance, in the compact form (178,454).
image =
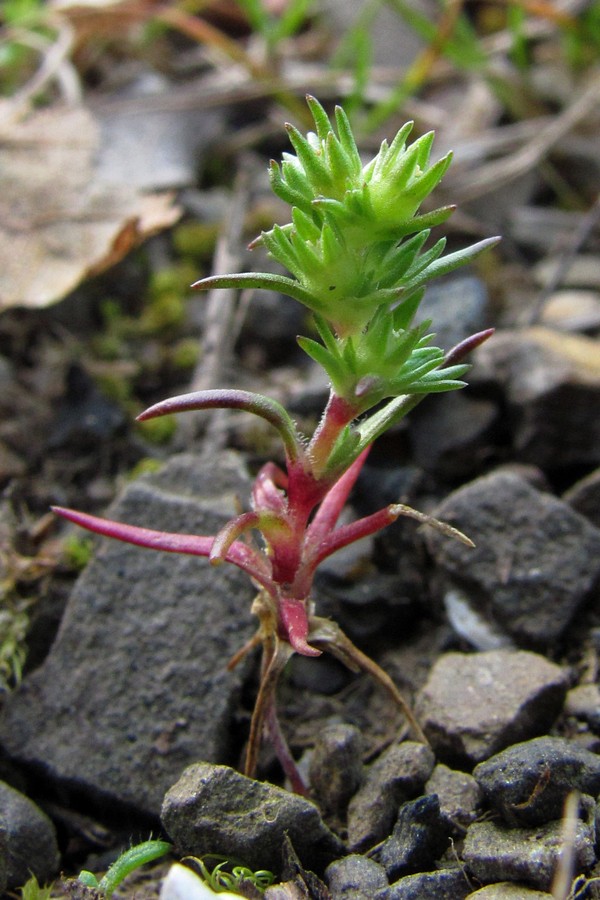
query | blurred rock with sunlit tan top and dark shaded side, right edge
(551,381)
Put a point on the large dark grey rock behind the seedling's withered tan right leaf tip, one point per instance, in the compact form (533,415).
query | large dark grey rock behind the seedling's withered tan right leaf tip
(535,563)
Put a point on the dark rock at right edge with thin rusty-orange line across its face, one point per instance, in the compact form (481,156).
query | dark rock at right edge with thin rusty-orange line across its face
(529,782)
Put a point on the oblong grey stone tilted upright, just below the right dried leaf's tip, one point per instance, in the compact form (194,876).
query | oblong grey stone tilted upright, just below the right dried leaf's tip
(398,775)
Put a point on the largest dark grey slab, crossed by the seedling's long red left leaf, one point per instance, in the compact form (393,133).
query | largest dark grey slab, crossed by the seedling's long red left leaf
(135,687)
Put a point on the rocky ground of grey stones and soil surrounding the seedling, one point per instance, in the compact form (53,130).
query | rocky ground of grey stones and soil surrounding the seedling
(126,721)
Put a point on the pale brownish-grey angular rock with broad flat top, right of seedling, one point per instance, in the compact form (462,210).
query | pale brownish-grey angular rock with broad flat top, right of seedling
(475,704)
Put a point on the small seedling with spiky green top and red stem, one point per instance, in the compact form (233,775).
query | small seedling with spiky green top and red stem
(356,248)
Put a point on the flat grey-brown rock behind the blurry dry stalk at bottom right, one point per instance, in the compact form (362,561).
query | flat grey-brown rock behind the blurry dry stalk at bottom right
(493,852)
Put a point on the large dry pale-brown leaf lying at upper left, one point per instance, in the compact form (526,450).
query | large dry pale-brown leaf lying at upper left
(59,223)
